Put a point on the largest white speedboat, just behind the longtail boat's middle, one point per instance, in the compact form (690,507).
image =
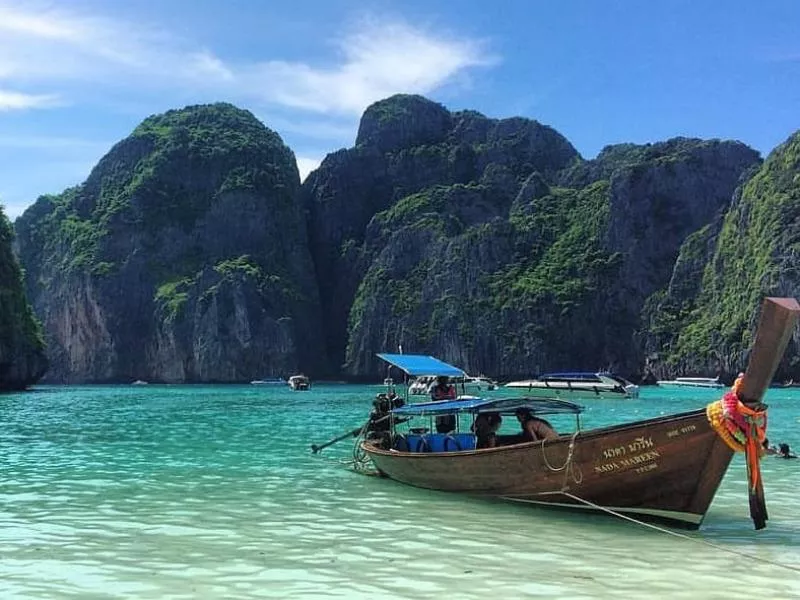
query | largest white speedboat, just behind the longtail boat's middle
(577,386)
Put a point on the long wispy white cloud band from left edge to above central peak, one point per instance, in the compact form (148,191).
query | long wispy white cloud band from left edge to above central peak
(47,47)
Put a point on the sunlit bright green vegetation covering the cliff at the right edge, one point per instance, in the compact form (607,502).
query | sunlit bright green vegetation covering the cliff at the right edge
(757,254)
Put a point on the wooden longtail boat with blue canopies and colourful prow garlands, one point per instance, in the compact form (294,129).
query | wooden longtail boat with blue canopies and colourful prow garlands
(665,469)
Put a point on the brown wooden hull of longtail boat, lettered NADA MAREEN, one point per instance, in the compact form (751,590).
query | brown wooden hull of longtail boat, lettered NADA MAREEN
(665,469)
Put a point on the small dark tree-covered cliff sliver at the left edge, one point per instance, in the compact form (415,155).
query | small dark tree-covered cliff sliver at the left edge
(22,352)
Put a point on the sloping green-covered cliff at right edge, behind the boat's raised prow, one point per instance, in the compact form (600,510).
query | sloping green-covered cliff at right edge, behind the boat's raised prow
(703,322)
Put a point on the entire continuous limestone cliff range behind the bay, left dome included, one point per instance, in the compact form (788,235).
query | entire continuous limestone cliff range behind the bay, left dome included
(192,253)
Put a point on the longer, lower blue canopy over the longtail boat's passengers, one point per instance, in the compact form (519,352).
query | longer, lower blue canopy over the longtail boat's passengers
(537,406)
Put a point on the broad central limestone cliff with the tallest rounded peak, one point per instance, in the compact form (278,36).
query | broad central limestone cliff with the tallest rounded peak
(495,246)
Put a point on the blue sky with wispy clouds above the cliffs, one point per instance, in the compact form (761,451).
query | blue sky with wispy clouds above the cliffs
(78,76)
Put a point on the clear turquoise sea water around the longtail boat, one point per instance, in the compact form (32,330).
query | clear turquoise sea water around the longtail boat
(212,492)
